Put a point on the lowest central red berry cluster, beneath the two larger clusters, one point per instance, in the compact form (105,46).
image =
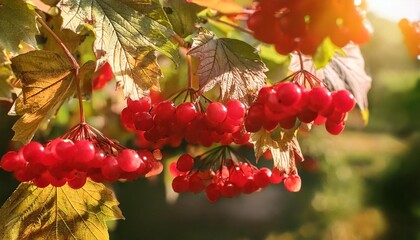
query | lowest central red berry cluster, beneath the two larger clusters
(227,181)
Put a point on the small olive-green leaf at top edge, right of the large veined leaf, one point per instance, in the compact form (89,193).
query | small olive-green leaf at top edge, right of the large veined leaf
(182,15)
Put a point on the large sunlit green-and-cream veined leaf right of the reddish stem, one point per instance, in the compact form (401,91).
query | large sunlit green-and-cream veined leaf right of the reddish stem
(124,32)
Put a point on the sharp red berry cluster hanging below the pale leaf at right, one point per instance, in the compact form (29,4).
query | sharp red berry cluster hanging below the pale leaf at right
(284,103)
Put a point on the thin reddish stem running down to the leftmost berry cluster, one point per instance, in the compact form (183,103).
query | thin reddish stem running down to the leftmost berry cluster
(76,66)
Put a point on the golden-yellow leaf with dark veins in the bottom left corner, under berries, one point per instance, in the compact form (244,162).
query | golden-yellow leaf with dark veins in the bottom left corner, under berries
(58,213)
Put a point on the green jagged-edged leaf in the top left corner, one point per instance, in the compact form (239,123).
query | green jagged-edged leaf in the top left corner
(17,23)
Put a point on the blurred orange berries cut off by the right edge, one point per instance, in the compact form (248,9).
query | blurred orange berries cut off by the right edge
(411,32)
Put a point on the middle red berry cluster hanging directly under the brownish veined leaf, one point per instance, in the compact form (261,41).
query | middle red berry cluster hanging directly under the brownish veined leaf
(169,124)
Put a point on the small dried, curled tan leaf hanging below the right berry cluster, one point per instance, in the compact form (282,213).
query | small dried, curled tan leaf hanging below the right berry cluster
(283,146)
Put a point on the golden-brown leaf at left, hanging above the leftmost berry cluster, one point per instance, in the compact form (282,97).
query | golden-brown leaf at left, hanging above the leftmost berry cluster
(47,80)
